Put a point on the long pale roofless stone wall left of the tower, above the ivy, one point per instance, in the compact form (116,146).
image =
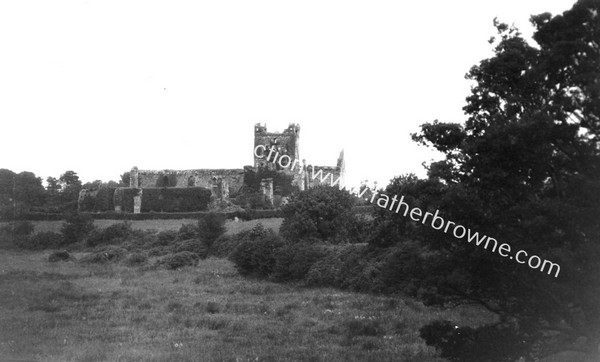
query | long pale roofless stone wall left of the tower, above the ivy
(231,179)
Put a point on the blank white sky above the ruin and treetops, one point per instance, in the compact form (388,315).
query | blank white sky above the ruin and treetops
(100,86)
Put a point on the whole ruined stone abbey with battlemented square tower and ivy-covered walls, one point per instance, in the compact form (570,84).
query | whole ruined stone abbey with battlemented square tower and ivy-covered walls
(265,184)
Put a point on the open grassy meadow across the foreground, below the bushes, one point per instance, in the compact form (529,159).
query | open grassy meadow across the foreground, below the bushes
(71,311)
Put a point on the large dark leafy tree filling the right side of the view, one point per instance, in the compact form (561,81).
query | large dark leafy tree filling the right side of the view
(525,169)
